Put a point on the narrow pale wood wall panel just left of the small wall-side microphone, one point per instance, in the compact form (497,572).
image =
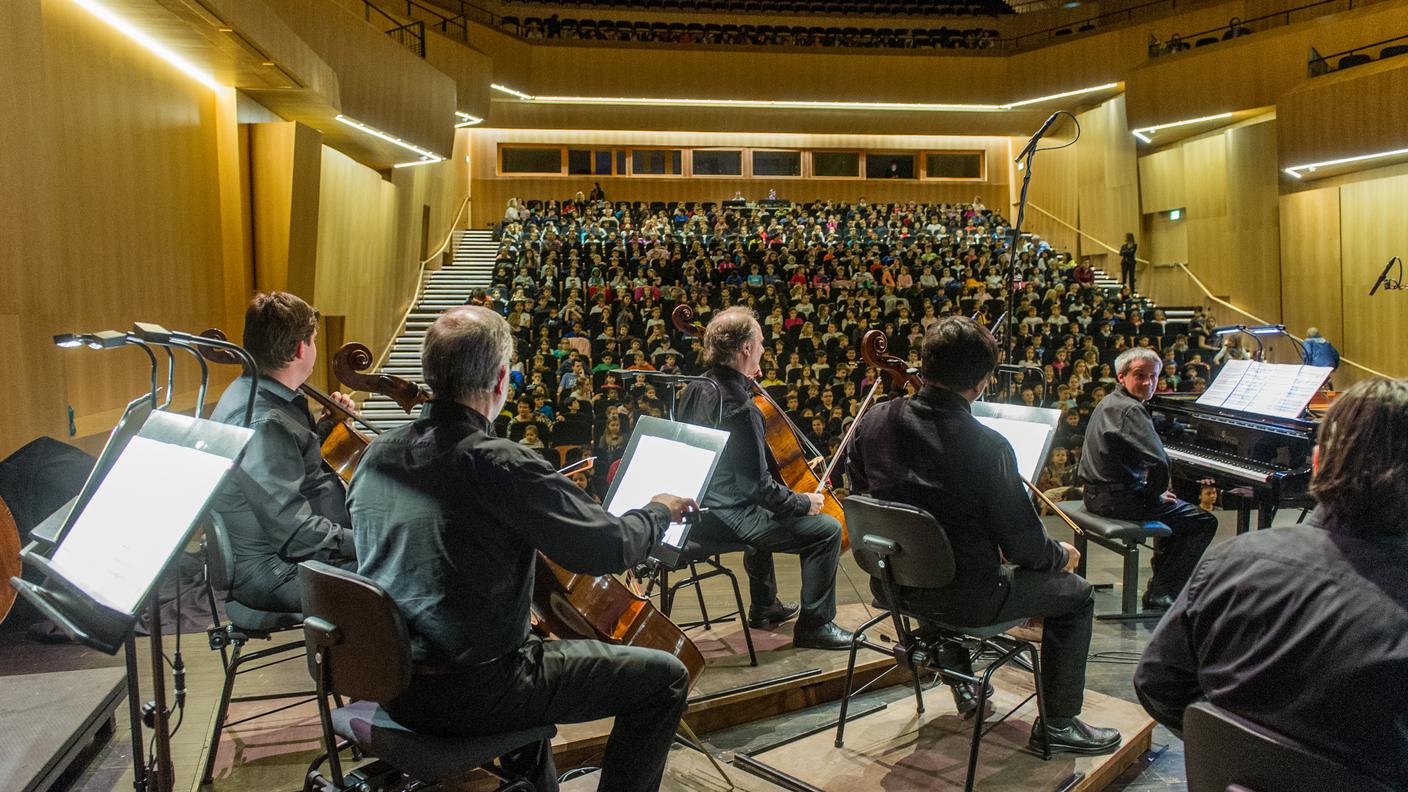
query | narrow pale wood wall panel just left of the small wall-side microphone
(1312,278)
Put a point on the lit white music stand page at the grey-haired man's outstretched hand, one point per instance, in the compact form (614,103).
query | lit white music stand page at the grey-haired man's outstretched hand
(665,457)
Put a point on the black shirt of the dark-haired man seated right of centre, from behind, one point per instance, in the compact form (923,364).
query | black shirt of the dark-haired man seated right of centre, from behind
(930,452)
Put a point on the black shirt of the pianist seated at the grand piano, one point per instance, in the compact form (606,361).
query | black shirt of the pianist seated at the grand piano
(1123,453)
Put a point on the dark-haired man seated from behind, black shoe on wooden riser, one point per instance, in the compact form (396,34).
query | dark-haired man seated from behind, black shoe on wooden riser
(931,453)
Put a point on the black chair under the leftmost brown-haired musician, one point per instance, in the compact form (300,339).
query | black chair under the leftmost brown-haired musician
(230,638)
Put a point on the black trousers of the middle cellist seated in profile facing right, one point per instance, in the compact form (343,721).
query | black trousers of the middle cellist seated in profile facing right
(816,539)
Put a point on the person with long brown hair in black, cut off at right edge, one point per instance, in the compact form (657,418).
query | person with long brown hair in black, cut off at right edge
(1300,629)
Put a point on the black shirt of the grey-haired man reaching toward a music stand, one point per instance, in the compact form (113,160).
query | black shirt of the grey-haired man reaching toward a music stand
(450,519)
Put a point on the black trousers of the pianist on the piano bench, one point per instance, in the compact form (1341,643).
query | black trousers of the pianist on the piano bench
(1176,556)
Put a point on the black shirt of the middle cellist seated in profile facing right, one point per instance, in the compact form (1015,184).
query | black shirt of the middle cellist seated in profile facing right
(743,477)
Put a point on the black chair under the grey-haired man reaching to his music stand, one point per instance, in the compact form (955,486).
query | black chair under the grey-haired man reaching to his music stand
(358,648)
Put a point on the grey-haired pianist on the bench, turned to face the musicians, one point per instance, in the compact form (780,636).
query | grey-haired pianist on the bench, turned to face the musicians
(1127,477)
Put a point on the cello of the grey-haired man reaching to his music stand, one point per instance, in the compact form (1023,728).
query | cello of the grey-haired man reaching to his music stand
(568,605)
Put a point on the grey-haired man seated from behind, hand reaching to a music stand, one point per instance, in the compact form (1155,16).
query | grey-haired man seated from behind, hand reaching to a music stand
(450,521)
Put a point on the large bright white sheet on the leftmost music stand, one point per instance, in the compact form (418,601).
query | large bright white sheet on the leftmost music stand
(127,532)
